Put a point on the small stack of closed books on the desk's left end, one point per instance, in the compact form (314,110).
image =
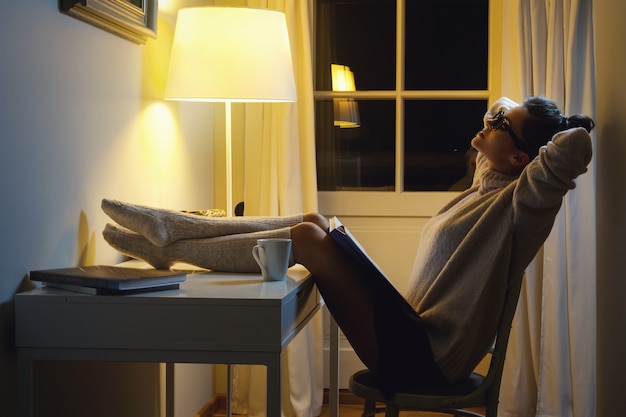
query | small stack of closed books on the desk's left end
(106,279)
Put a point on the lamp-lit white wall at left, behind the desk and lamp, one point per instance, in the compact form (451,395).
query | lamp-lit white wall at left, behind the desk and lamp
(81,118)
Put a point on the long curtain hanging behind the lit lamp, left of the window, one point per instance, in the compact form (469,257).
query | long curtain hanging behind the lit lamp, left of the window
(280,179)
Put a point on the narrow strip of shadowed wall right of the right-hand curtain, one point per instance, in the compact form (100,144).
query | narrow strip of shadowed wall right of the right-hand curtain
(611,204)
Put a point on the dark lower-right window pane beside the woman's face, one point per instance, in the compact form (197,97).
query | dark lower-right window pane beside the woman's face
(437,151)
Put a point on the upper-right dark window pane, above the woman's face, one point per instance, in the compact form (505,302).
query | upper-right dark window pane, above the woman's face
(446,44)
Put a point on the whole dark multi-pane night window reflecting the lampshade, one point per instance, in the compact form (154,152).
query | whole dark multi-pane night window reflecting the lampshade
(420,71)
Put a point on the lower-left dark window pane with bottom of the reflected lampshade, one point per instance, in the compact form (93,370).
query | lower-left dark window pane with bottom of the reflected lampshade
(359,157)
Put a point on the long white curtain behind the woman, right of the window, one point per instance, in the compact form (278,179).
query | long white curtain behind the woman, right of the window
(550,366)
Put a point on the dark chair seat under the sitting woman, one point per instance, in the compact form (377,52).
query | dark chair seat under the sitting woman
(464,393)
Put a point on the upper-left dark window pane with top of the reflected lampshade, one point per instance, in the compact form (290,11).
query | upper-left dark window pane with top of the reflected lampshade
(361,35)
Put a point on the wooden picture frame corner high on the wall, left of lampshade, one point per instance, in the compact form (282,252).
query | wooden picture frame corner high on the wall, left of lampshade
(134,20)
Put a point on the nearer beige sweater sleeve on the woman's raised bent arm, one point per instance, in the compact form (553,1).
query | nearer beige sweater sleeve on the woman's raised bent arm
(543,183)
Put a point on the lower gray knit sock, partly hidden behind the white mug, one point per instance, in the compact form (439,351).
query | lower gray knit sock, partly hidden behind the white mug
(232,253)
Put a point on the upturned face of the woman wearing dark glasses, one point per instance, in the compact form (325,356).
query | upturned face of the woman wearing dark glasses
(496,142)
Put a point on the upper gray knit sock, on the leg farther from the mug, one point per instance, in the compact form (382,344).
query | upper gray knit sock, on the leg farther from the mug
(162,227)
